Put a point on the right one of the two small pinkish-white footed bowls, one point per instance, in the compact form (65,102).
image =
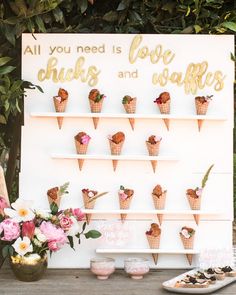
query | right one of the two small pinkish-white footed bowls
(136,267)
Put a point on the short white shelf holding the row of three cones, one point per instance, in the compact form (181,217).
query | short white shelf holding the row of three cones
(113,157)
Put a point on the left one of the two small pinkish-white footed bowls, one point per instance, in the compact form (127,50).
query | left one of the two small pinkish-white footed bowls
(102,267)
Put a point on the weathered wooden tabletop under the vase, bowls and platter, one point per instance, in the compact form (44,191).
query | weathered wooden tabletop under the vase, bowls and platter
(79,281)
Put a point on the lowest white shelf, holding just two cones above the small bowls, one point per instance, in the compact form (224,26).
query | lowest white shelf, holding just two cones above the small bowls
(147,251)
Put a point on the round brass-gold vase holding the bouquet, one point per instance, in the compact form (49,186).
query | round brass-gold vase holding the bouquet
(27,269)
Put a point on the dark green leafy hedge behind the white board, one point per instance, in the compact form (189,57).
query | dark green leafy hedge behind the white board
(87,16)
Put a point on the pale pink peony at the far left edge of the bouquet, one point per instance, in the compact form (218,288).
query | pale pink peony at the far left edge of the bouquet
(10,230)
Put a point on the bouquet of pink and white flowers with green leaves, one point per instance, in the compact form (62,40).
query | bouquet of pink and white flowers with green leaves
(26,232)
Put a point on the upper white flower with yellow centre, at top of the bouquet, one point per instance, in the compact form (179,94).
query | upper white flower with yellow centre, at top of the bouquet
(21,211)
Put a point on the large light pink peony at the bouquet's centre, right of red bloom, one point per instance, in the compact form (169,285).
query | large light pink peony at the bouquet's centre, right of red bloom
(53,234)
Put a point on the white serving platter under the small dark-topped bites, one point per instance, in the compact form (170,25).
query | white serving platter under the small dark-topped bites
(170,285)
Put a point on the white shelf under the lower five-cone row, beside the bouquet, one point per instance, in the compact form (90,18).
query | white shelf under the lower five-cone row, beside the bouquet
(170,212)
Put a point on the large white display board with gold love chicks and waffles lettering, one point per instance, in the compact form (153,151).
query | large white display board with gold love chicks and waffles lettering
(142,66)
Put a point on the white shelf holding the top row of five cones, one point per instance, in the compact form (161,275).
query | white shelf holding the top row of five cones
(124,115)
